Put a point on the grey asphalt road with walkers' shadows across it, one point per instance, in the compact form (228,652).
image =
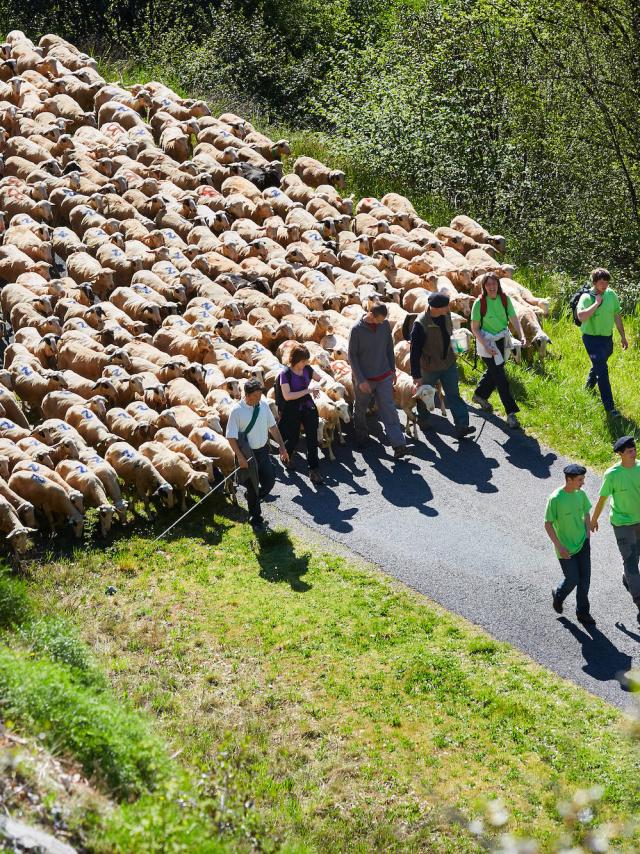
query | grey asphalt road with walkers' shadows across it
(463,524)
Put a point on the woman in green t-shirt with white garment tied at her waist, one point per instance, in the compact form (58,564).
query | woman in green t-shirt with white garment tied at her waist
(491,315)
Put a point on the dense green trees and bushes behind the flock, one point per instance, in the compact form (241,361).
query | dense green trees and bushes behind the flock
(521,112)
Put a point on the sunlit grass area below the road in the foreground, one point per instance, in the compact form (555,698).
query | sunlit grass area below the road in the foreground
(316,706)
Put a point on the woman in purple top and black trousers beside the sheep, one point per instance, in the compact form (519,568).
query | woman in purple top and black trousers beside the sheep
(296,406)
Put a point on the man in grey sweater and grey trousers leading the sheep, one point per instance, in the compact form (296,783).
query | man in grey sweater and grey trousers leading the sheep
(374,374)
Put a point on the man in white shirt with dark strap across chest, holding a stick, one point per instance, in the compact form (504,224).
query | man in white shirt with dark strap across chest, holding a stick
(250,423)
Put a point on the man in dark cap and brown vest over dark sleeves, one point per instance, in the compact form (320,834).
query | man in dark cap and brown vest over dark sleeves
(432,359)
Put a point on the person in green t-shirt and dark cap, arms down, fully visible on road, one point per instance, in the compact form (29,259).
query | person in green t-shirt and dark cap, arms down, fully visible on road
(566,522)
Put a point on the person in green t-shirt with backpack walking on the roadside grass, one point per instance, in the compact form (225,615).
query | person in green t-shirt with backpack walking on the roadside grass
(598,311)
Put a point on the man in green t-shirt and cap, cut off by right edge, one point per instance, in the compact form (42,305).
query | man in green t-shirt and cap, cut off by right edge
(622,484)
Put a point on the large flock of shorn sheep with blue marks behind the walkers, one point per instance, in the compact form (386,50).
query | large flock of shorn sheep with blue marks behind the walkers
(152,258)
